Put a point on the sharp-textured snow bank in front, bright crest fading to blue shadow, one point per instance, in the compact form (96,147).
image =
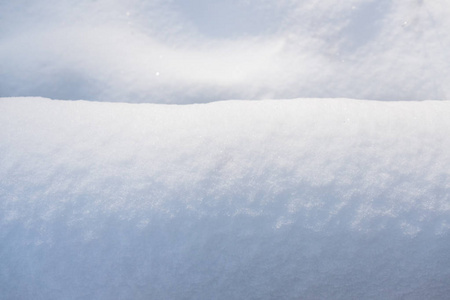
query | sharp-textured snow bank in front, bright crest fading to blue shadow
(305,199)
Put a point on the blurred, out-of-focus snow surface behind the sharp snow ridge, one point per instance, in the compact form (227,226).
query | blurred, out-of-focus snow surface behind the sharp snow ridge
(200,51)
